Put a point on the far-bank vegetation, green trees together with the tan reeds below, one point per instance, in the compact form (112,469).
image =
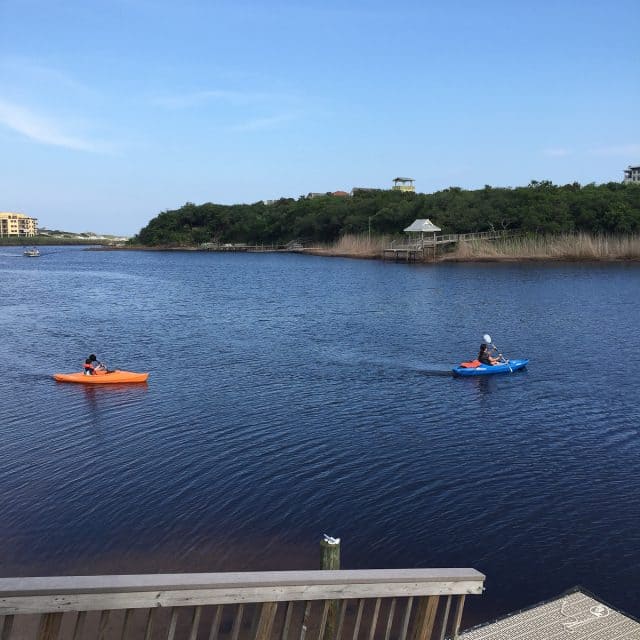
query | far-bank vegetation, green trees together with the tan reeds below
(546,221)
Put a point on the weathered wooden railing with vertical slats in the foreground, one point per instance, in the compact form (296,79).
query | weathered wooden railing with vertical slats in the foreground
(405,604)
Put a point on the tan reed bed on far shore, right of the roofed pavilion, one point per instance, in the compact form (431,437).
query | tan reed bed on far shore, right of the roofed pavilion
(580,246)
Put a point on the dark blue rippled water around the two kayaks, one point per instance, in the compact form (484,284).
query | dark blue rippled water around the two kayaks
(292,396)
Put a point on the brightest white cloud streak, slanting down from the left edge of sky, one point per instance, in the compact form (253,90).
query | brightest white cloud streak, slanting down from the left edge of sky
(42,129)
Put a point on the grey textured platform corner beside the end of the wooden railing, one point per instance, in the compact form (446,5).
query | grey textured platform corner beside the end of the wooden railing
(573,616)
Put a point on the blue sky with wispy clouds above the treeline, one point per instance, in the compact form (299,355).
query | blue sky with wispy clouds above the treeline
(111,112)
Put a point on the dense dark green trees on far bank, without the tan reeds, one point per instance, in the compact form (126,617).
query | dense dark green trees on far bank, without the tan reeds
(540,207)
